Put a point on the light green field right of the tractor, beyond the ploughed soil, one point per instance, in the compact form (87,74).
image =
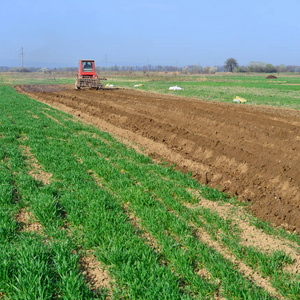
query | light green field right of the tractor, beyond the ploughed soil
(283,92)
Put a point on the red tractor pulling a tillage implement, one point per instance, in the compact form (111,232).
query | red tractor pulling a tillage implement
(87,76)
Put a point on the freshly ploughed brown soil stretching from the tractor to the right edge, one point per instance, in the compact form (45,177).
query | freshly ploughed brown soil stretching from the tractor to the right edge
(248,151)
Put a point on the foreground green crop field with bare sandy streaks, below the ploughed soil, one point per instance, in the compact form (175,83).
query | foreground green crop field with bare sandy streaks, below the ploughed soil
(143,221)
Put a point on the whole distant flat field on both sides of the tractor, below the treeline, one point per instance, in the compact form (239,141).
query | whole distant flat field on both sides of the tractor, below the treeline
(281,92)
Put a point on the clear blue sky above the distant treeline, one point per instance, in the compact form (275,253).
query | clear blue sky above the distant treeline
(59,33)
